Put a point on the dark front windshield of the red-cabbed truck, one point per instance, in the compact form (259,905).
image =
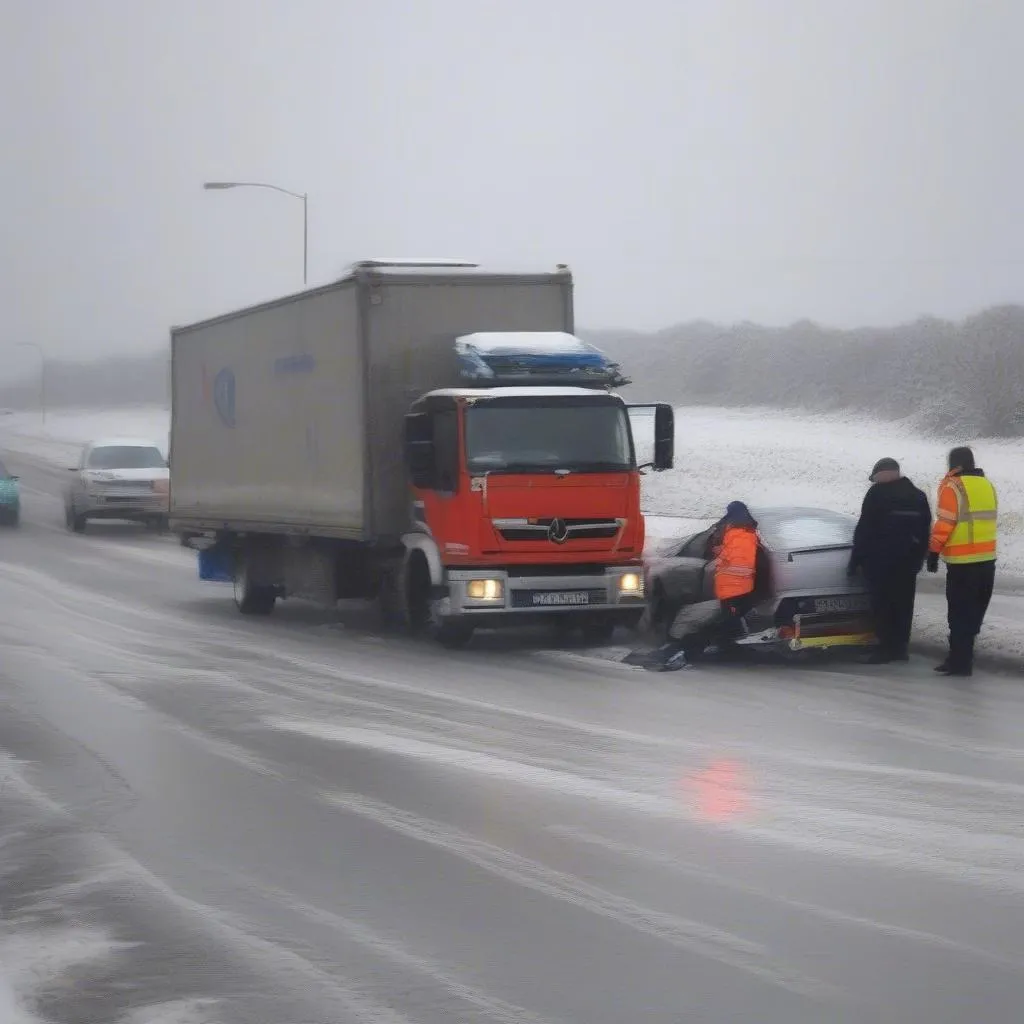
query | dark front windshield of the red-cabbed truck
(507,438)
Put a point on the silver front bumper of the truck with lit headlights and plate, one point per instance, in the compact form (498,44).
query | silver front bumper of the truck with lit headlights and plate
(494,594)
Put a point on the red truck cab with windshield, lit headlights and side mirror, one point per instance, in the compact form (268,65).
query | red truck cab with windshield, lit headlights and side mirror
(529,498)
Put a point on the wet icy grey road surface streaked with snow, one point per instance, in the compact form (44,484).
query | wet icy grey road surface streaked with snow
(207,821)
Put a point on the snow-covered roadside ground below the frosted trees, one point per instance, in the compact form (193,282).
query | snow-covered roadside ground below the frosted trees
(760,456)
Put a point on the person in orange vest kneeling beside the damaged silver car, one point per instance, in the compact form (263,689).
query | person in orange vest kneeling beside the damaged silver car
(736,580)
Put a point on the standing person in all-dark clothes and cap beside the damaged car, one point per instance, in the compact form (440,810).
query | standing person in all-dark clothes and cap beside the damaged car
(889,547)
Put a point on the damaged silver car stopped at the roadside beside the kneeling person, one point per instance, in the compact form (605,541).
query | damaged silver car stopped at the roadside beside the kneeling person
(807,600)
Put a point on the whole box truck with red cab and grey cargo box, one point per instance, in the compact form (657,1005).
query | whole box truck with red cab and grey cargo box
(321,448)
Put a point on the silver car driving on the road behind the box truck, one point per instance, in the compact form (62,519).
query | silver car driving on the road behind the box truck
(119,479)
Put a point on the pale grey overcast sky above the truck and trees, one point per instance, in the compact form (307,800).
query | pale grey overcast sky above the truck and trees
(849,161)
